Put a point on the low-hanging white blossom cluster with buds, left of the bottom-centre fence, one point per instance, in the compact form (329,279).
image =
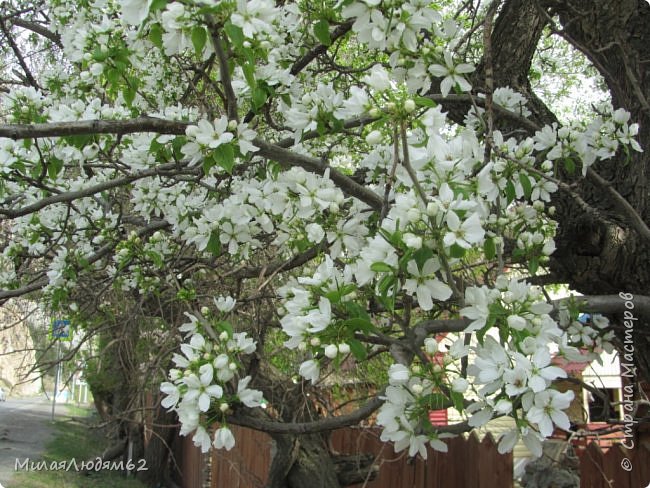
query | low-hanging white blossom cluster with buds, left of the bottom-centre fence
(200,388)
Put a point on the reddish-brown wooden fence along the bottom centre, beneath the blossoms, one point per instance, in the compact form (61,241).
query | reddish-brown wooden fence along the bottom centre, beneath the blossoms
(469,462)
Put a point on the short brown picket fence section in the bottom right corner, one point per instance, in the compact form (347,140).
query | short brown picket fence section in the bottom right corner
(616,468)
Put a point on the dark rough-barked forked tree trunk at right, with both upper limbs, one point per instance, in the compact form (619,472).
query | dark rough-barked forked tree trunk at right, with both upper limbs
(598,252)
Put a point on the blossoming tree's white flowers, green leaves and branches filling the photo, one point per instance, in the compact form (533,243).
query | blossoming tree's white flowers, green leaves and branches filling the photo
(288,175)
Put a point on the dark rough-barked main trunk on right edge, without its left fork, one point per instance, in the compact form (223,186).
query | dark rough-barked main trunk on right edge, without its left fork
(605,255)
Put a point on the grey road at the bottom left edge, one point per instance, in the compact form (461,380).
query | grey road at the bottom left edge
(25,428)
